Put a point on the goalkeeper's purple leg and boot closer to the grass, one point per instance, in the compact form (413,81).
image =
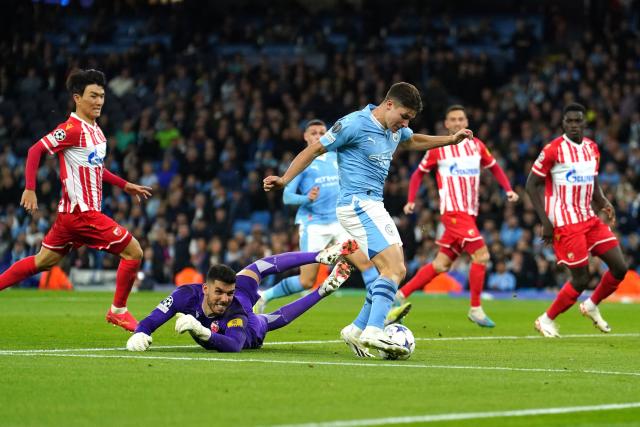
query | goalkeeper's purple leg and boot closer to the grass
(288,313)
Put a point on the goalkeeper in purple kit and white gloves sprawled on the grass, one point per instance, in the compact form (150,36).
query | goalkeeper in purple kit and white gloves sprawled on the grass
(218,313)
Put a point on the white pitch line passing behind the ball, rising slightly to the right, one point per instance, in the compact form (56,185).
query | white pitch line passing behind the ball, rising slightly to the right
(312,342)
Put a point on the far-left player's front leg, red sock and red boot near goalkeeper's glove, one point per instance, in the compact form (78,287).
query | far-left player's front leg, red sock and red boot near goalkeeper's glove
(130,259)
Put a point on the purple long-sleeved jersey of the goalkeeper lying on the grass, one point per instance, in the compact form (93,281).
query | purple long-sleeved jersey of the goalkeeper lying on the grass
(237,328)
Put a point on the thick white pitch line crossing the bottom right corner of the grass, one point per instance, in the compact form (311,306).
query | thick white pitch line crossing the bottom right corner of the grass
(467,416)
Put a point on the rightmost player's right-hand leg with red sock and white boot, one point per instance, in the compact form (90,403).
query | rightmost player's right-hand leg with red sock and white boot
(609,282)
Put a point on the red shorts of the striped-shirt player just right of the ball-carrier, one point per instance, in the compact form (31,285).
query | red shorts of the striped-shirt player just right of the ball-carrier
(461,234)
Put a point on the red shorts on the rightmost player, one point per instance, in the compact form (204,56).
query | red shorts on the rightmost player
(572,243)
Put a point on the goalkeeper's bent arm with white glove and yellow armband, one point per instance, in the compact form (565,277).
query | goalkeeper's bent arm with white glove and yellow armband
(231,342)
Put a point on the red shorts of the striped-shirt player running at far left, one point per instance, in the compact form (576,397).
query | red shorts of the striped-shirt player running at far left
(91,228)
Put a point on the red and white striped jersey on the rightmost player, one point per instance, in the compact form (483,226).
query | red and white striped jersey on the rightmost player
(569,170)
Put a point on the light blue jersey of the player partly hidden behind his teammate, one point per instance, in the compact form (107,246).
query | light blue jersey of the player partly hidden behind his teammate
(322,173)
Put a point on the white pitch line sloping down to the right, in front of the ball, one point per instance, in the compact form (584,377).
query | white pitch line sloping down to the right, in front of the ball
(319,363)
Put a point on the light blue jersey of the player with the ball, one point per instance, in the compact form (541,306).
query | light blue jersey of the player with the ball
(365,150)
